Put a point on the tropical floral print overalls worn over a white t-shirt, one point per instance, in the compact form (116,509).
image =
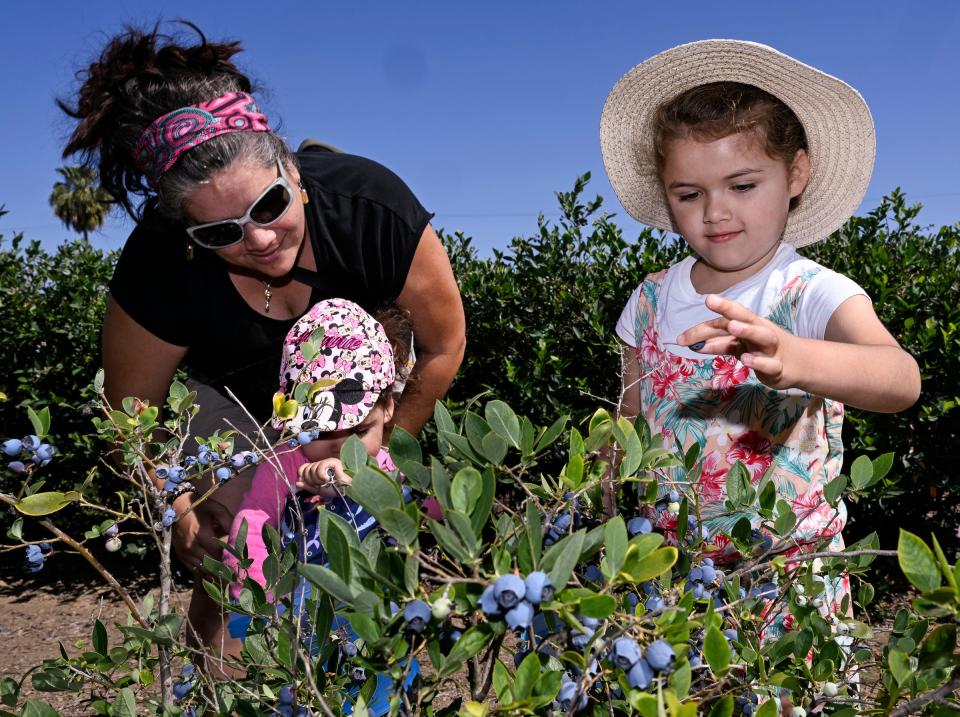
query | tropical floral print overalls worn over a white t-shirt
(719,404)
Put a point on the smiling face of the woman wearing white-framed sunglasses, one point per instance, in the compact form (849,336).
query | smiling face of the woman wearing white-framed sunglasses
(270,251)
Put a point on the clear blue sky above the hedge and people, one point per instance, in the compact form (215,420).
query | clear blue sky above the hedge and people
(486,109)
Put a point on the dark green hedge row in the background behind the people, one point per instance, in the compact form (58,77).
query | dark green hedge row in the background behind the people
(541,316)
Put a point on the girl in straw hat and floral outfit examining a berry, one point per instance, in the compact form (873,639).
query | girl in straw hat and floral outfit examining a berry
(746,348)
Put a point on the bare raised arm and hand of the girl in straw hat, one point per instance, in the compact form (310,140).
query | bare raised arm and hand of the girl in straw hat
(858,363)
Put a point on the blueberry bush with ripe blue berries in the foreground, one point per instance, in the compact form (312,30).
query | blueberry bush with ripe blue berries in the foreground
(551,604)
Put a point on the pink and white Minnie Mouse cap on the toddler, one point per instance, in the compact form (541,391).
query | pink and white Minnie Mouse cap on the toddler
(342,358)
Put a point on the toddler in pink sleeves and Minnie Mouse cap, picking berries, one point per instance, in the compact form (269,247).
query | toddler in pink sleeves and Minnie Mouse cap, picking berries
(354,362)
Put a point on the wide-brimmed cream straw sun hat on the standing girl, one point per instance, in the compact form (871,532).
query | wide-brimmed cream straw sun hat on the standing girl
(840,135)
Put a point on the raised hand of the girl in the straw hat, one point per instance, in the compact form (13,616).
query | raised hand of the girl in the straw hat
(758,343)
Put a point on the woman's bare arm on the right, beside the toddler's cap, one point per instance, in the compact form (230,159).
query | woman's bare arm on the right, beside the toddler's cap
(432,297)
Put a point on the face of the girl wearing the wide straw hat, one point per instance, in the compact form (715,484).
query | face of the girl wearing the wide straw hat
(730,201)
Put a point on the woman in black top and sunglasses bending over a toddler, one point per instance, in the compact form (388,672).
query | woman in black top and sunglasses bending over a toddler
(236,237)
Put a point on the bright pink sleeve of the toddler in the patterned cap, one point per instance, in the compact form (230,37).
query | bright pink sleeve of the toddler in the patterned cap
(261,505)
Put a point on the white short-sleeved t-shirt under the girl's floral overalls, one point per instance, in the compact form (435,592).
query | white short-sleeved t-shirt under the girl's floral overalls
(680,307)
